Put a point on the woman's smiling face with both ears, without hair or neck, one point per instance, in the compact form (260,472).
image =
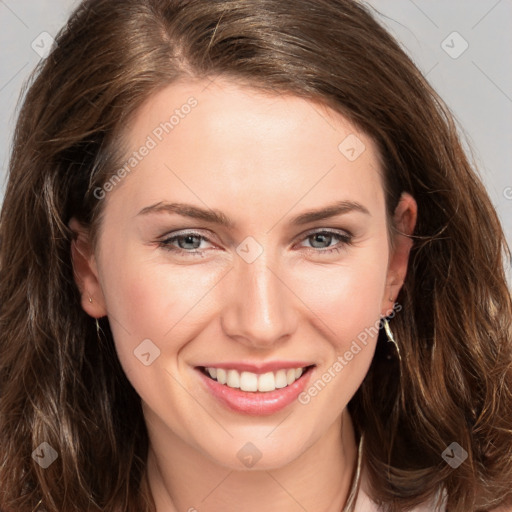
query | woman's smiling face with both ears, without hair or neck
(249,236)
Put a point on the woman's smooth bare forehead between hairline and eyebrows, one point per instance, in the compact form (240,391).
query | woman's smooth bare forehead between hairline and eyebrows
(226,141)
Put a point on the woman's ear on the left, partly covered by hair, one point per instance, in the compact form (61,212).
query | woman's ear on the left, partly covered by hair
(85,271)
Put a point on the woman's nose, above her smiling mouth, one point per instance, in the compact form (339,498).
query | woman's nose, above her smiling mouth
(259,305)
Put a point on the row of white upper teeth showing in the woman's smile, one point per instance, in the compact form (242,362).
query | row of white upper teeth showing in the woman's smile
(248,381)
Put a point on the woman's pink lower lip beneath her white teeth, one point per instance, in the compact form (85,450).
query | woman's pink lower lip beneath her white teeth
(256,403)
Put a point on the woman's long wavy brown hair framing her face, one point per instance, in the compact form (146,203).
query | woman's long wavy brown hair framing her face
(62,385)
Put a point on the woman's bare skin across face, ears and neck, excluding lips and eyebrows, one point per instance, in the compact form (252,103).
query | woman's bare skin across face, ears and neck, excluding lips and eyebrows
(261,159)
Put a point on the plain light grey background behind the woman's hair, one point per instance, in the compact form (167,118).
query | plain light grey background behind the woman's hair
(476,84)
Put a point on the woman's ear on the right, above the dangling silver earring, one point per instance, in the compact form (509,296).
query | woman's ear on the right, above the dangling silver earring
(404,221)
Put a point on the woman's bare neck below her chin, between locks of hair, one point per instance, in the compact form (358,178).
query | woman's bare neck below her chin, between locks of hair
(318,479)
